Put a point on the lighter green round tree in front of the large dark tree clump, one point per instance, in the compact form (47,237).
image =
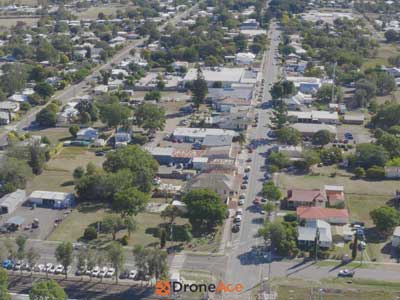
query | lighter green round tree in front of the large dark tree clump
(130,202)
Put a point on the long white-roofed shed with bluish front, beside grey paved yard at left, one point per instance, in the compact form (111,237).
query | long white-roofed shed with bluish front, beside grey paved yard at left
(51,199)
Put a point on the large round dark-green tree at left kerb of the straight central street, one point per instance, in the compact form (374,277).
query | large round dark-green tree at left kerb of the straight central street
(205,207)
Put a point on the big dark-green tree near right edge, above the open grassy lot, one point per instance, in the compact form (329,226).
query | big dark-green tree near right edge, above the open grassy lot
(369,155)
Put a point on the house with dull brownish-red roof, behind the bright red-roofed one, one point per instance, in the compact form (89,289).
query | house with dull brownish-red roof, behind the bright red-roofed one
(304,197)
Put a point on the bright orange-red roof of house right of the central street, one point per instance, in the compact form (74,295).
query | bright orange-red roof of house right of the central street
(330,215)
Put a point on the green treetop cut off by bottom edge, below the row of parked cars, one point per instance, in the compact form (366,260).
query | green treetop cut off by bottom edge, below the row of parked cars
(49,290)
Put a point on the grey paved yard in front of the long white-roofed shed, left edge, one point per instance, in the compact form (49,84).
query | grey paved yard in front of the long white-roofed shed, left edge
(48,220)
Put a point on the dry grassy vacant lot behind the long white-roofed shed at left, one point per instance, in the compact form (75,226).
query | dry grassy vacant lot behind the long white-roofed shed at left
(57,175)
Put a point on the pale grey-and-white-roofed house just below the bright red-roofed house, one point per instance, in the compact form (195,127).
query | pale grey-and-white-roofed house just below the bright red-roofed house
(307,234)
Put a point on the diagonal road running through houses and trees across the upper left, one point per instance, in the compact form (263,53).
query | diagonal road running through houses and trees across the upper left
(70,92)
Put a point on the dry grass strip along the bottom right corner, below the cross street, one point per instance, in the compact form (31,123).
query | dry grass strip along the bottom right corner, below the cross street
(334,289)
